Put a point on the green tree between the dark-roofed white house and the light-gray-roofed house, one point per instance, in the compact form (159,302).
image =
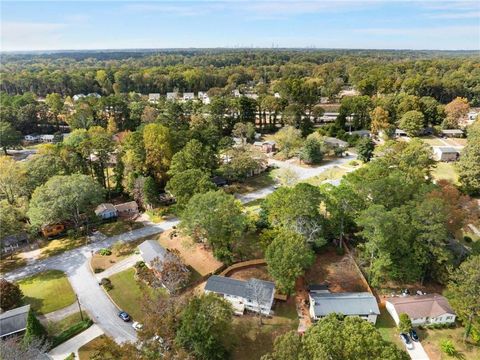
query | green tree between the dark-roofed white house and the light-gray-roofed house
(287,257)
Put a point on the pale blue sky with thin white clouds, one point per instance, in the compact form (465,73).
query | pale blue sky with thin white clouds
(358,24)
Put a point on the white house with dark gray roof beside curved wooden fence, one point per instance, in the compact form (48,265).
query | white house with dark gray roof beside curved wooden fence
(254,295)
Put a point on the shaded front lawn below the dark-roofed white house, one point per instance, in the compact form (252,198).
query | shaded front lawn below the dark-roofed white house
(258,339)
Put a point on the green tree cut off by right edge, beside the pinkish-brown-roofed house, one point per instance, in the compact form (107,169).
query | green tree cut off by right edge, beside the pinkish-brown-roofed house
(463,292)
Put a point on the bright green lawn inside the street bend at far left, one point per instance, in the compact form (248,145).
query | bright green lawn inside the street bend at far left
(47,291)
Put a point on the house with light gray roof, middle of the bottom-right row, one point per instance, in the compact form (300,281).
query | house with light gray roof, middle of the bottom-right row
(361,304)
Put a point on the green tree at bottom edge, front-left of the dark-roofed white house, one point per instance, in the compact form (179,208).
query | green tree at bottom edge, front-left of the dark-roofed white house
(205,327)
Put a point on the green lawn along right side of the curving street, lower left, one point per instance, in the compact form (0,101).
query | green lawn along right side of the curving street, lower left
(128,293)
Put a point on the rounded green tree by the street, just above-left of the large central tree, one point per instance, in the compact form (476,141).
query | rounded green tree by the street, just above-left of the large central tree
(185,184)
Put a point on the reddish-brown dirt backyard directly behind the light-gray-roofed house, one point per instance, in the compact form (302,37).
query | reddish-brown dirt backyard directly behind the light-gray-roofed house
(338,271)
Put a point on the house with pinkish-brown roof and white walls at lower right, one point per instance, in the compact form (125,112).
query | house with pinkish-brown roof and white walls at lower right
(422,309)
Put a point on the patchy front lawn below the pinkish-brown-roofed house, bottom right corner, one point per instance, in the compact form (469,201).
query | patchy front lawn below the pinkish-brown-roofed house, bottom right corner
(432,338)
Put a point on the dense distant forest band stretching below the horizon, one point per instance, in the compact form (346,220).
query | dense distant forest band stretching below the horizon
(437,74)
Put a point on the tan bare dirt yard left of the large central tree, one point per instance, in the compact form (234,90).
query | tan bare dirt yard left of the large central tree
(199,257)
